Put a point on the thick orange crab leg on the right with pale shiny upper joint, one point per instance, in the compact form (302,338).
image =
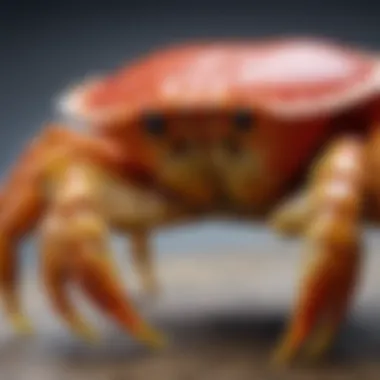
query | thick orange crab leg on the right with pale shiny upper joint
(333,237)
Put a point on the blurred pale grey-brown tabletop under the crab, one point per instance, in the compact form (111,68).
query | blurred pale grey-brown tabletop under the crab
(224,313)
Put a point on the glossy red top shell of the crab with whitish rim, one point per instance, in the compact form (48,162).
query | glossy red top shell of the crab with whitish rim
(286,78)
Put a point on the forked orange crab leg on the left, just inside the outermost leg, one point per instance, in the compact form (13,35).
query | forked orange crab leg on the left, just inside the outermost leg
(77,209)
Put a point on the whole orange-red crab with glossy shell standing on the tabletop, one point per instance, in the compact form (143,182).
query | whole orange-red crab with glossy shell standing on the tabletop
(282,131)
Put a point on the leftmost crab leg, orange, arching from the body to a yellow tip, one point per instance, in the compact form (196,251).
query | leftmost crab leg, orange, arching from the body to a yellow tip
(22,202)
